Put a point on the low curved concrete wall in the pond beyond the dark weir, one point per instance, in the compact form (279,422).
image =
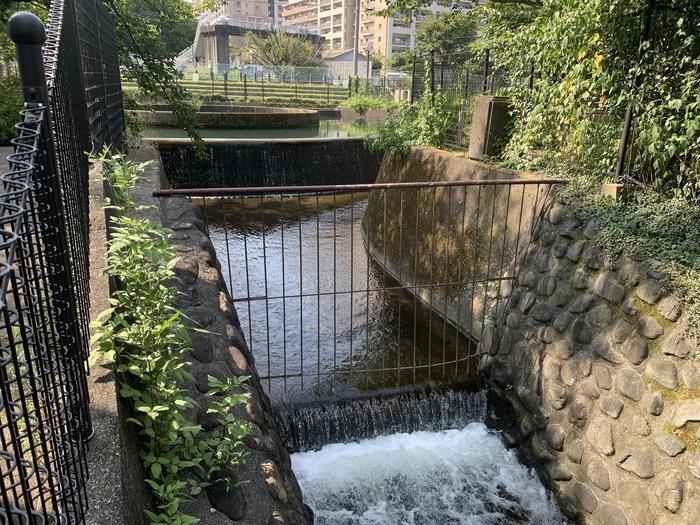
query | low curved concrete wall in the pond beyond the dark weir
(237,117)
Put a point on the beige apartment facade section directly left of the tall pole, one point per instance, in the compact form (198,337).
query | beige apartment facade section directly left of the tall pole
(333,19)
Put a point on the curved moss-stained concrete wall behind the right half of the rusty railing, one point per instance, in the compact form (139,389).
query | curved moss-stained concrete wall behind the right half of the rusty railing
(463,239)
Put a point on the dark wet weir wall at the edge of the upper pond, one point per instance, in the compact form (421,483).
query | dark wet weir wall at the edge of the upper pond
(279,162)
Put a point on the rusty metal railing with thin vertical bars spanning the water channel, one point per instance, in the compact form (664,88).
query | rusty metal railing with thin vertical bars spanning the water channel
(368,286)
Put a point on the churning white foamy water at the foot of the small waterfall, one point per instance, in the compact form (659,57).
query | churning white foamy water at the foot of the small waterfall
(452,477)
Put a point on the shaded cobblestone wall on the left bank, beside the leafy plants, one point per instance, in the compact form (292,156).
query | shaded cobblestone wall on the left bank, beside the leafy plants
(270,493)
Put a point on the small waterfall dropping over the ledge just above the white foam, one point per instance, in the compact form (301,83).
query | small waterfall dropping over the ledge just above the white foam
(312,427)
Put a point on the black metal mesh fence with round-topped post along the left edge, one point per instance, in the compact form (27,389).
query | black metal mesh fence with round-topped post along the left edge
(44,269)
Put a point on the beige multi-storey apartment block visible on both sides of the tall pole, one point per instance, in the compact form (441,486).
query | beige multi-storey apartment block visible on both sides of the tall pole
(335,20)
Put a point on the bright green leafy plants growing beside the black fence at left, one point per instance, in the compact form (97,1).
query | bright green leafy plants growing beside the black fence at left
(146,339)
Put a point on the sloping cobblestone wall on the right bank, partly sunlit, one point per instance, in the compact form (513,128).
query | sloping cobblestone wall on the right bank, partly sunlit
(592,352)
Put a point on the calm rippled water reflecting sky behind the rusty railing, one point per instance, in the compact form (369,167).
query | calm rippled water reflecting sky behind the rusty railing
(326,319)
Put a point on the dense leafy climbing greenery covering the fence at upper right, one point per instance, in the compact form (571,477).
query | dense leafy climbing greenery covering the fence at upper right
(585,54)
